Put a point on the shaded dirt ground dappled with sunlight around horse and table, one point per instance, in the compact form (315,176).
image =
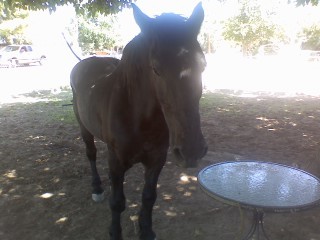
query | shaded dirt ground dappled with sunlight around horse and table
(45,188)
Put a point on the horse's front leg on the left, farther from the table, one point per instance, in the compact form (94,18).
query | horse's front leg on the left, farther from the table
(117,198)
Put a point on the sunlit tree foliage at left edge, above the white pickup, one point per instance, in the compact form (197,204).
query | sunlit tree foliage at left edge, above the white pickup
(12,25)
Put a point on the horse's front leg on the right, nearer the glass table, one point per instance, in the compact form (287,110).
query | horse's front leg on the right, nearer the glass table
(149,196)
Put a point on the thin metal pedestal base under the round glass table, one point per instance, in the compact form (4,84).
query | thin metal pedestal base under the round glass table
(257,231)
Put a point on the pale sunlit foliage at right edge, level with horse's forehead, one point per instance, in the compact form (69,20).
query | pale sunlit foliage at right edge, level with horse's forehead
(311,36)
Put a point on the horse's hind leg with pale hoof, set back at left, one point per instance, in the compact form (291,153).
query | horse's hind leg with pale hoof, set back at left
(91,152)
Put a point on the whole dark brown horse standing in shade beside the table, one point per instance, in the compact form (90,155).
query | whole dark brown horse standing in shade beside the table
(141,105)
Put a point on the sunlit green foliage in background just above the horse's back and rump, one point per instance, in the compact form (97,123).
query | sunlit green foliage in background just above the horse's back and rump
(96,33)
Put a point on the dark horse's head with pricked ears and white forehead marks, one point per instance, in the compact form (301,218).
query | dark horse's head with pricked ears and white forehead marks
(177,62)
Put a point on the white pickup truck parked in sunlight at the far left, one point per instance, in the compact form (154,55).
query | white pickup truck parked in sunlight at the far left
(15,55)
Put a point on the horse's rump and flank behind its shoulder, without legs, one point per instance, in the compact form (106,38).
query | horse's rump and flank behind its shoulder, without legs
(88,79)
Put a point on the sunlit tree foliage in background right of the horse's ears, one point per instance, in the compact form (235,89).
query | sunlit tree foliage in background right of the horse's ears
(249,29)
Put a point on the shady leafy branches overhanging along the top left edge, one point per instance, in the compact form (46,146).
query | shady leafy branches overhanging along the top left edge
(91,6)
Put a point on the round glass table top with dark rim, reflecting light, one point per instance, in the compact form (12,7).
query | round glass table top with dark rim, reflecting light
(261,185)
